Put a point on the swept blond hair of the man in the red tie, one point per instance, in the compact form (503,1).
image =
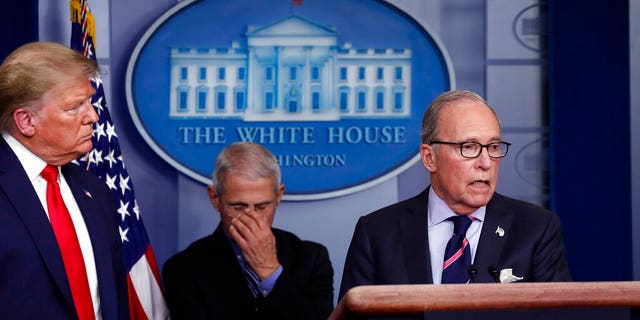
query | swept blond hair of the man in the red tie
(35,68)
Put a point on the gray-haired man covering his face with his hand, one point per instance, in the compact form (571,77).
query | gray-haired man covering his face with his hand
(246,269)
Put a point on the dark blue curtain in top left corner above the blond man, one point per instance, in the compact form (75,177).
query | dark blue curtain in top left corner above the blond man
(18,25)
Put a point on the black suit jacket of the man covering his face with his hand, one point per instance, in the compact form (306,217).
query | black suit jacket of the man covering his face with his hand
(205,281)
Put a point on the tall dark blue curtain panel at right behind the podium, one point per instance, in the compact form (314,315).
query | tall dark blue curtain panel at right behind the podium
(590,144)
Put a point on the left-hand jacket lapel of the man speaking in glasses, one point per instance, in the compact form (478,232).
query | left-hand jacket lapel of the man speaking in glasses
(415,240)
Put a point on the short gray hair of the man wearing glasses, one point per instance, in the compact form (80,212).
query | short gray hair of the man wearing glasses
(429,129)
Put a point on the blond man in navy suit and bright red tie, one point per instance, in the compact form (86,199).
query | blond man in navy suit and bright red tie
(46,121)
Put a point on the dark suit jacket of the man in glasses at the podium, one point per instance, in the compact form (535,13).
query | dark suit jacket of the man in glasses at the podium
(390,246)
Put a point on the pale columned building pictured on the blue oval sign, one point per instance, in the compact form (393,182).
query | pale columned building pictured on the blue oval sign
(290,70)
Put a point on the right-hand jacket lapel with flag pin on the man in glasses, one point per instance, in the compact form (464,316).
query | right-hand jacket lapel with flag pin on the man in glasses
(495,231)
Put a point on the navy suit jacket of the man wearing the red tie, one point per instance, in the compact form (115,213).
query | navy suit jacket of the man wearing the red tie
(33,282)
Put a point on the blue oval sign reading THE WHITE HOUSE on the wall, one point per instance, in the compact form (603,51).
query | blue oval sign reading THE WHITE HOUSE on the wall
(335,89)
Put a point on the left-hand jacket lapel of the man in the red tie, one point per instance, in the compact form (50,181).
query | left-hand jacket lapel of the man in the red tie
(16,185)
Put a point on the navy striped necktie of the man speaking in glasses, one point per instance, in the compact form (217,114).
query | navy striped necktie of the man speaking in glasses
(457,257)
